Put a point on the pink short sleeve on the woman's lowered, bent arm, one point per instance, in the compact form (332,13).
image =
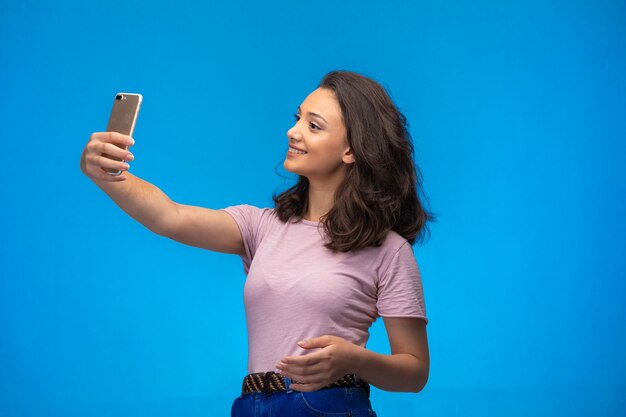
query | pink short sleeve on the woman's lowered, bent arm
(400,291)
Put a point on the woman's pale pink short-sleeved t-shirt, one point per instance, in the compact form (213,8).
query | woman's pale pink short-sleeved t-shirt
(297,289)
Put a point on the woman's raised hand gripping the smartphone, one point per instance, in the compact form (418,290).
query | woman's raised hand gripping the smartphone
(99,153)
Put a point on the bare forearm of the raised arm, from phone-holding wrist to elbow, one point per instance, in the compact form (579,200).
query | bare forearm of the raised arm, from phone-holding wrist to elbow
(141,200)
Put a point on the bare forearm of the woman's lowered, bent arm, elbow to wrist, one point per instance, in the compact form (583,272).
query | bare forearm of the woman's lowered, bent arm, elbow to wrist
(400,372)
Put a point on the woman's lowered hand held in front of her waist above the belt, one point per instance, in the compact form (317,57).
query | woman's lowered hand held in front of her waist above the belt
(316,370)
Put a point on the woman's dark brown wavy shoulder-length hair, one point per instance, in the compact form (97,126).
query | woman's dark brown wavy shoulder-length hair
(379,191)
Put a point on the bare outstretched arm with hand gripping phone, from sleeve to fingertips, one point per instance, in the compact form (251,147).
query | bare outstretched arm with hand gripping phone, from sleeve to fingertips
(196,226)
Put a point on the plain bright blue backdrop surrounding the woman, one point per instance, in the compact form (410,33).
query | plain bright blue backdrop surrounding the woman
(517,112)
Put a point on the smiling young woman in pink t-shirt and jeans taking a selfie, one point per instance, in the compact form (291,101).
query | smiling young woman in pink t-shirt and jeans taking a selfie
(333,255)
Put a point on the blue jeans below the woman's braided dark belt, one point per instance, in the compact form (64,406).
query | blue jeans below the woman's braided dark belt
(327,402)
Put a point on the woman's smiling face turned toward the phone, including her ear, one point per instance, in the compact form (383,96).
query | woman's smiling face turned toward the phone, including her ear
(319,131)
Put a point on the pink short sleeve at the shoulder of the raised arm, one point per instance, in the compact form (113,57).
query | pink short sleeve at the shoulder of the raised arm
(252,222)
